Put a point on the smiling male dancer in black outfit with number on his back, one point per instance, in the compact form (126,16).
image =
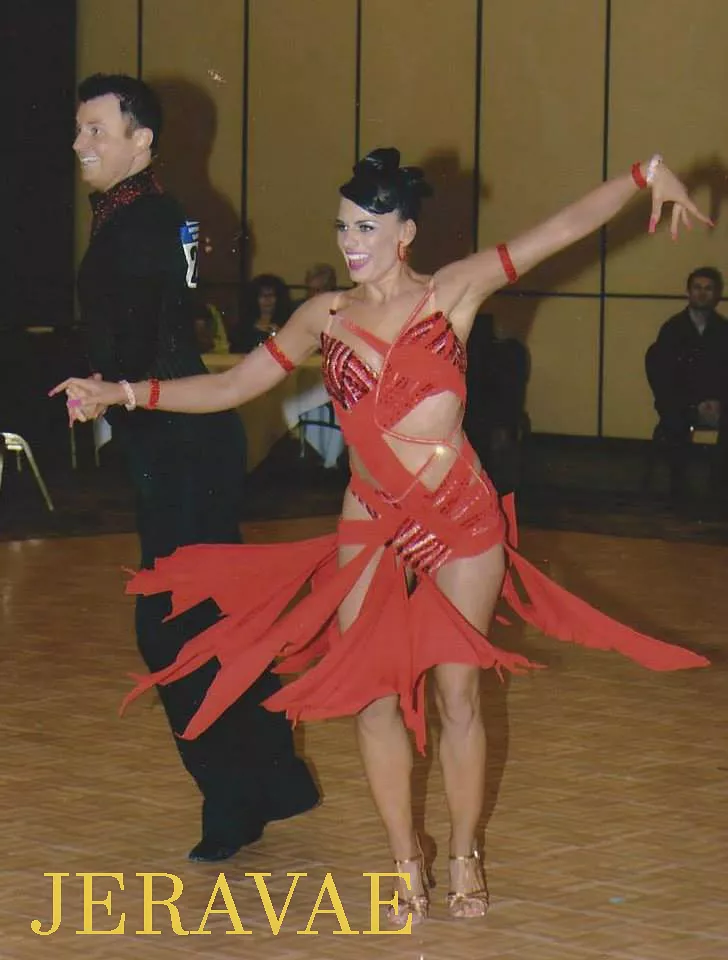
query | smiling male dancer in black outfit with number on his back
(137,304)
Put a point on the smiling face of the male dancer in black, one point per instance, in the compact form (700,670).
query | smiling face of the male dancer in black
(107,149)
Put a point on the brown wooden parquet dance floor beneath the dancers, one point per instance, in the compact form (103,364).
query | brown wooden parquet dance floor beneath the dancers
(607,811)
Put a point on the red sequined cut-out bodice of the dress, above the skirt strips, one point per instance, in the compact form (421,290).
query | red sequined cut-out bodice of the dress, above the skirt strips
(372,402)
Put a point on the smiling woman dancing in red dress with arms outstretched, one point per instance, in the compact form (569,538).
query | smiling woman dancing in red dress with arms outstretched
(409,582)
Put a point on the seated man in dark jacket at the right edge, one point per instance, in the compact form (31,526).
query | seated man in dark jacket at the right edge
(687,369)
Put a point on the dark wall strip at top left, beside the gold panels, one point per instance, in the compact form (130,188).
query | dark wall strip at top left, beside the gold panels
(38,43)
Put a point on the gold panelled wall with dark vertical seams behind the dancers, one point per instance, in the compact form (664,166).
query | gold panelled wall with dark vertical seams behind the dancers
(514,109)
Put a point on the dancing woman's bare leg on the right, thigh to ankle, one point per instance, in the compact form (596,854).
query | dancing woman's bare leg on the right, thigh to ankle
(473,585)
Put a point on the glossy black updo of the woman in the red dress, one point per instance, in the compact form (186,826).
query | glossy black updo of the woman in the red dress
(380,185)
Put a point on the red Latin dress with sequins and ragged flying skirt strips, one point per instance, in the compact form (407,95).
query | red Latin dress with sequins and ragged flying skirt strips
(399,633)
